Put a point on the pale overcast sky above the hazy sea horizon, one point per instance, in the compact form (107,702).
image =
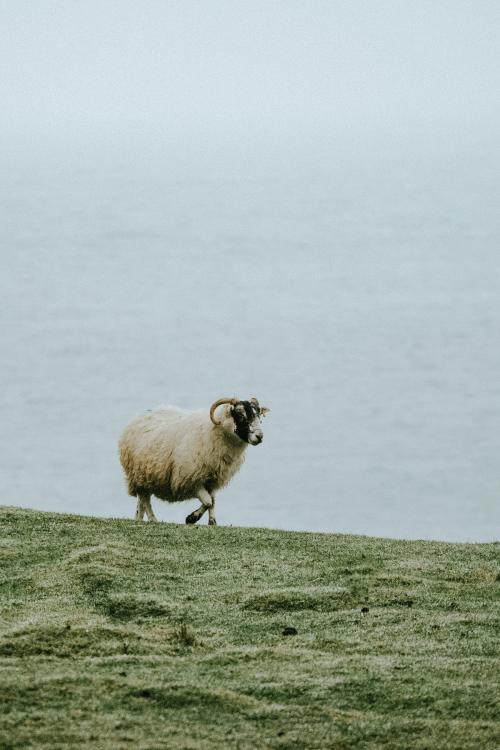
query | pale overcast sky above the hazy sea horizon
(246,69)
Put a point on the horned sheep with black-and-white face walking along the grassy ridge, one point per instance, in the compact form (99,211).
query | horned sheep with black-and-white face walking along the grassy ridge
(178,455)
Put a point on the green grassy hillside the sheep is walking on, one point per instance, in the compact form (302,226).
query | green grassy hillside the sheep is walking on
(115,634)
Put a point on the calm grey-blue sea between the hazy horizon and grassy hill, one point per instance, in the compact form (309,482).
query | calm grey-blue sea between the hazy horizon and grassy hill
(359,300)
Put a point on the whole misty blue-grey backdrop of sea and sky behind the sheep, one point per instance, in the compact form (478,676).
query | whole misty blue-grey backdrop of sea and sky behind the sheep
(297,201)
